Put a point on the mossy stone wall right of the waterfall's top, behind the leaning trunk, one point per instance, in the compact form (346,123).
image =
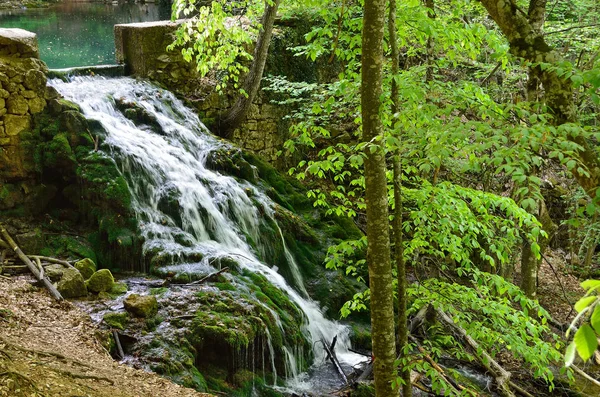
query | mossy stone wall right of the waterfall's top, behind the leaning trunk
(142,48)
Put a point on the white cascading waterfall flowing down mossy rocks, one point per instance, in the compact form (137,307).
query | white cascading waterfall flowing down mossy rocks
(215,214)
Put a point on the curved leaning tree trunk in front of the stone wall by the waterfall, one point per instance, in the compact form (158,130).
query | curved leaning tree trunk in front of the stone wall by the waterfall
(232,119)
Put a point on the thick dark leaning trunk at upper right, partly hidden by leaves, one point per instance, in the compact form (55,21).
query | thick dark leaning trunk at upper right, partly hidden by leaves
(523,32)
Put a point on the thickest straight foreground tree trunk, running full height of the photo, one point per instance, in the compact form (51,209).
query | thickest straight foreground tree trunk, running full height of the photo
(378,249)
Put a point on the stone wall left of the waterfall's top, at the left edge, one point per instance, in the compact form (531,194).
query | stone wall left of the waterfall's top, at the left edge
(23,93)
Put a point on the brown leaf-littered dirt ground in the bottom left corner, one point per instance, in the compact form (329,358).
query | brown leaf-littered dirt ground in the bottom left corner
(51,349)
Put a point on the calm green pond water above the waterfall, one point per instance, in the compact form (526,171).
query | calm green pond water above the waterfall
(80,33)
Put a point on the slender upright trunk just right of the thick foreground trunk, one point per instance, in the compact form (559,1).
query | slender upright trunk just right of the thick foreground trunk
(402,337)
